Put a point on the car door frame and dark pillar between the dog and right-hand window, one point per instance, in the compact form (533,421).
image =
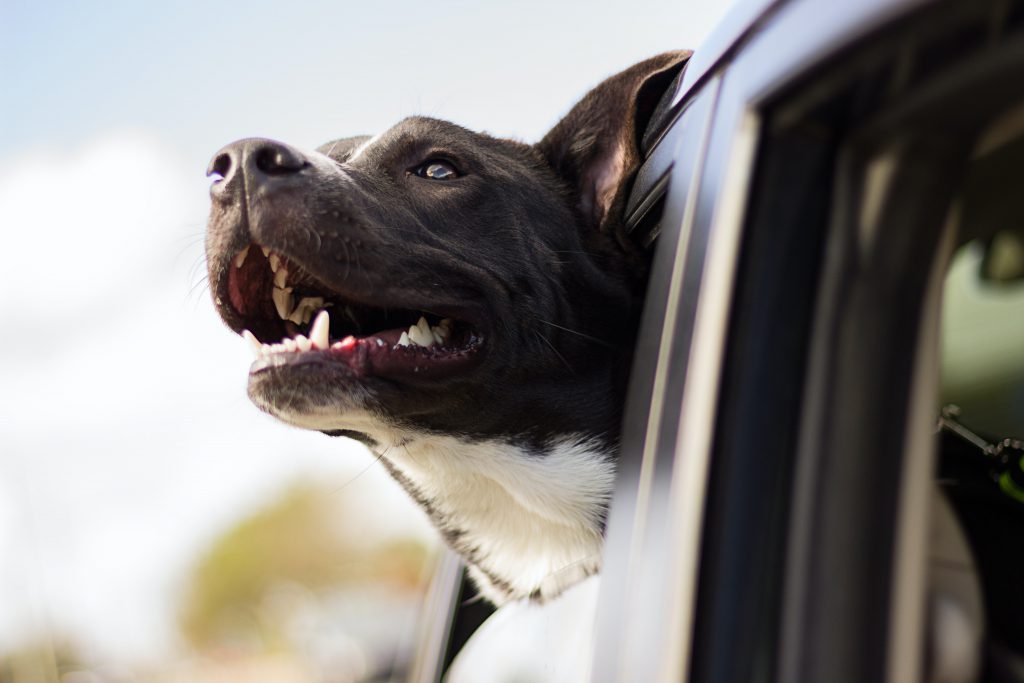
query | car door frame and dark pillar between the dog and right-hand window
(773,517)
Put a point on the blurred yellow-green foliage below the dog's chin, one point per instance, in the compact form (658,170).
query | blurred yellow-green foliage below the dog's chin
(306,538)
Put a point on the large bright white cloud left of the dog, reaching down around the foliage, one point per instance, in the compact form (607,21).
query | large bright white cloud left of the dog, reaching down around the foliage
(127,442)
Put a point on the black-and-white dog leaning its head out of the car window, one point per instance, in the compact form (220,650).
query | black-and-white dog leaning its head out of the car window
(465,306)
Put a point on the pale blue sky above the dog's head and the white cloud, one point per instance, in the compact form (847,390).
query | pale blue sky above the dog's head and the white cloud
(204,73)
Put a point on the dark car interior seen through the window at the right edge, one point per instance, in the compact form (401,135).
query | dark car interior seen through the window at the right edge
(977,543)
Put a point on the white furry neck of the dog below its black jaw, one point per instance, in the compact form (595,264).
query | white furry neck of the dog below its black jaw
(529,523)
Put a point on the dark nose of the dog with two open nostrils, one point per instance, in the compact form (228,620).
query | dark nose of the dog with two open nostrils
(262,161)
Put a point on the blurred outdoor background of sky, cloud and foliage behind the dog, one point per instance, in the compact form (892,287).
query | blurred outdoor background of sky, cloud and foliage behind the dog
(154,526)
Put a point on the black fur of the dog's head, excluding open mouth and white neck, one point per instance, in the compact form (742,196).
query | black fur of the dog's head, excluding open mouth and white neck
(527,246)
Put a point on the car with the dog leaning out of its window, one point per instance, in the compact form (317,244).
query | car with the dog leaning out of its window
(821,478)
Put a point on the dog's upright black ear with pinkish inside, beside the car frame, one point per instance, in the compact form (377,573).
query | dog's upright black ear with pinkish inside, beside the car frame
(596,147)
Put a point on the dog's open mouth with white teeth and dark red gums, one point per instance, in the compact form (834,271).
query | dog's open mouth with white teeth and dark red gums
(291,318)
